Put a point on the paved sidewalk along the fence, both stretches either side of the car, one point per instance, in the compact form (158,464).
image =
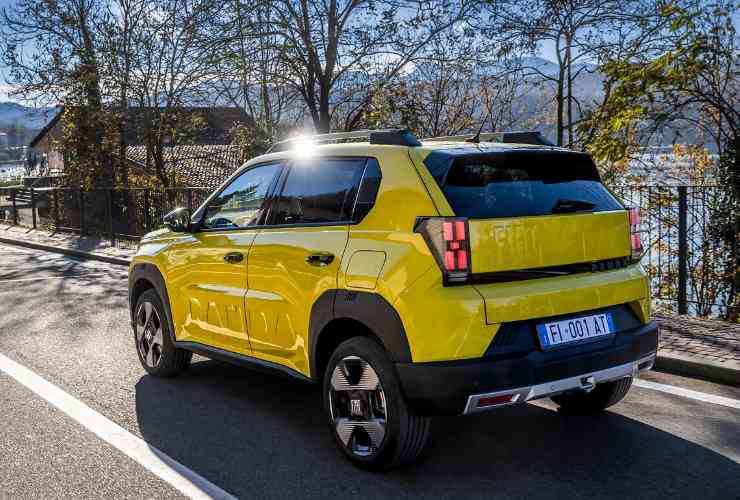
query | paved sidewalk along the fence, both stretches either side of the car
(691,346)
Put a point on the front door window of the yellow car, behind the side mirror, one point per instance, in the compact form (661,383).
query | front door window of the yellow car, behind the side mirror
(241,203)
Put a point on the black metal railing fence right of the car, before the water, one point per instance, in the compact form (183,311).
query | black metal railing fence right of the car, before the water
(690,240)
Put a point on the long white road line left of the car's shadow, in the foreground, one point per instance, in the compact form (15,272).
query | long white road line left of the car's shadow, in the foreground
(186,481)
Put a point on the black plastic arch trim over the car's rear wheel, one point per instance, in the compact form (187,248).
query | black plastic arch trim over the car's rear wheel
(369,311)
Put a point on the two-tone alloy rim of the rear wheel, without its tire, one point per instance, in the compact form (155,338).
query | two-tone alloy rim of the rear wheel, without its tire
(357,406)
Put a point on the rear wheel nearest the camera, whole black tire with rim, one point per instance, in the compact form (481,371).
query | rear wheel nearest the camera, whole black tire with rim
(367,413)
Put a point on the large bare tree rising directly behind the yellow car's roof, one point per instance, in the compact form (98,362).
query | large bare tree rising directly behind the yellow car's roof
(325,46)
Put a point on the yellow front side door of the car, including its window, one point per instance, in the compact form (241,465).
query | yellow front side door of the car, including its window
(210,270)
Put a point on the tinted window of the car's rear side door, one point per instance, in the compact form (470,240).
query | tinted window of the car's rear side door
(320,190)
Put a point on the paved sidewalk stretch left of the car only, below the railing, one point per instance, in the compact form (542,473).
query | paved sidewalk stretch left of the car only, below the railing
(67,243)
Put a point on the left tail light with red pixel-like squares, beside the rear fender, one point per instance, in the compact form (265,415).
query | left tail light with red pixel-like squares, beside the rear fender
(449,240)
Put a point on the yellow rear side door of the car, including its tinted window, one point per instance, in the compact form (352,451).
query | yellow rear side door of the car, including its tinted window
(297,256)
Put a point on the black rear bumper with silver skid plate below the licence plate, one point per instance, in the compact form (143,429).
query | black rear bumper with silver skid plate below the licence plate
(455,387)
